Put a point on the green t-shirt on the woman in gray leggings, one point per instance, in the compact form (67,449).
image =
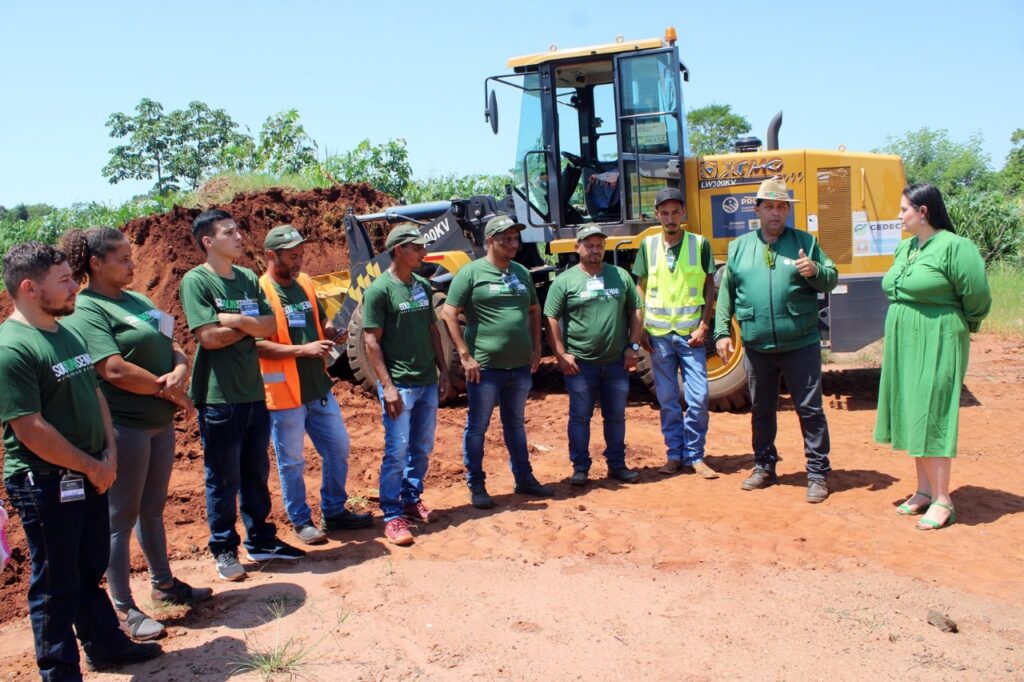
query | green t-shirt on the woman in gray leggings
(129,327)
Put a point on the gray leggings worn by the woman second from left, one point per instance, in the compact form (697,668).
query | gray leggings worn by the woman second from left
(137,499)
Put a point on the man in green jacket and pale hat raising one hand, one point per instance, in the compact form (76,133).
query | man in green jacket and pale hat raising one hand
(772,283)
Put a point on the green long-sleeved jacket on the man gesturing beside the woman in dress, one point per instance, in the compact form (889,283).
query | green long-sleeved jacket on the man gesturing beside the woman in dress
(777,308)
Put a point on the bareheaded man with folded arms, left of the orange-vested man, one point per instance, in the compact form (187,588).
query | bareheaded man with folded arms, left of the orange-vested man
(227,312)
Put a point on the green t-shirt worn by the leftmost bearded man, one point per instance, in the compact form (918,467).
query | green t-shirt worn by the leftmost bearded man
(50,373)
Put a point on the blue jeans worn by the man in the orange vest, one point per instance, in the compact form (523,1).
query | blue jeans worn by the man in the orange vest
(322,420)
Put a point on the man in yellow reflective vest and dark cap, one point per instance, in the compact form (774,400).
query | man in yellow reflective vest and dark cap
(676,271)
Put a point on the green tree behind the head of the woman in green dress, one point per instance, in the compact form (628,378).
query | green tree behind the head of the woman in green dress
(929,156)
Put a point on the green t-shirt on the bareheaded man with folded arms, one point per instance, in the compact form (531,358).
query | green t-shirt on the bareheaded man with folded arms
(229,375)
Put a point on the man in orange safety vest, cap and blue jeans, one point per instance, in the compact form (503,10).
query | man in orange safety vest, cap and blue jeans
(298,391)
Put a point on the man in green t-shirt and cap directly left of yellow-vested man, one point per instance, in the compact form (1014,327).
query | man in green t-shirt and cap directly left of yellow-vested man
(594,325)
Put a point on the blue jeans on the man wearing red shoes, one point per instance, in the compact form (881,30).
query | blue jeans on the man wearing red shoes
(408,442)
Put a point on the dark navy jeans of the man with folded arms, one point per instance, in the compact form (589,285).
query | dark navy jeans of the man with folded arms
(235,440)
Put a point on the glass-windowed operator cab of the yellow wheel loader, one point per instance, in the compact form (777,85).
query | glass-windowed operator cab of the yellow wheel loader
(602,131)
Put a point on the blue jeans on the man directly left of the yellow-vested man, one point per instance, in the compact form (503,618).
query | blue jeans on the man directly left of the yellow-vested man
(610,385)
